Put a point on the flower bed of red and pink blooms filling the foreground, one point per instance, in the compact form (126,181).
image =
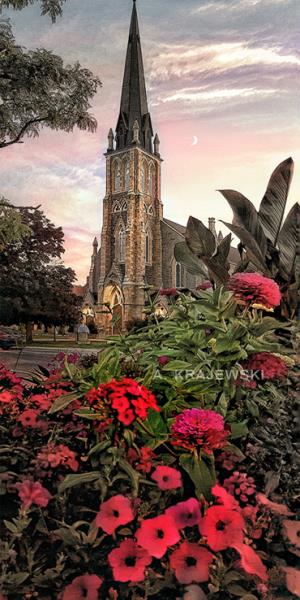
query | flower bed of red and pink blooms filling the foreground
(140,476)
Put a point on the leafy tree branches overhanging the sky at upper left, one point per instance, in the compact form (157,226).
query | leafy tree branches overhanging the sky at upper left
(37,90)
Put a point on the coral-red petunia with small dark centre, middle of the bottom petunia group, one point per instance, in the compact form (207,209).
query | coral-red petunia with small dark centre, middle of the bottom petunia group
(156,535)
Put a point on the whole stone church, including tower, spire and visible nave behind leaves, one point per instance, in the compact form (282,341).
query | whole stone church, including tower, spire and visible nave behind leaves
(136,252)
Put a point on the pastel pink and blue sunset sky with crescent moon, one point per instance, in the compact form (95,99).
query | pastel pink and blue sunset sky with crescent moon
(222,79)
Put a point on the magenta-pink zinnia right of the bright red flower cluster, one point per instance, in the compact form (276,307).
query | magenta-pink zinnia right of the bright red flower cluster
(199,428)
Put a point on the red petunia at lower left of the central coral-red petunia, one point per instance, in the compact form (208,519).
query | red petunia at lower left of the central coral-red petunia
(128,562)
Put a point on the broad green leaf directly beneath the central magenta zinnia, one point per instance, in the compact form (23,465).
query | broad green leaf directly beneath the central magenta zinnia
(202,474)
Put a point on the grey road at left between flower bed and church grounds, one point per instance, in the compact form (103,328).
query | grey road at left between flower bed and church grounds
(29,358)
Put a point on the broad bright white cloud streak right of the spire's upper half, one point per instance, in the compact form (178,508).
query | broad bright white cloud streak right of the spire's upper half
(184,60)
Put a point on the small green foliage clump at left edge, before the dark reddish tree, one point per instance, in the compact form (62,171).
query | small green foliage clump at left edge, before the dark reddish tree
(11,226)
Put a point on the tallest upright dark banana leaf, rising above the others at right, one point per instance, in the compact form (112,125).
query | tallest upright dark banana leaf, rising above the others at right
(273,204)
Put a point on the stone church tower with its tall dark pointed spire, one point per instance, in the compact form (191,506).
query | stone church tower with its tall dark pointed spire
(131,240)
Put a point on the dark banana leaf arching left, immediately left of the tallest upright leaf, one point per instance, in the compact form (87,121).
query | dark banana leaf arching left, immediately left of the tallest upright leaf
(245,216)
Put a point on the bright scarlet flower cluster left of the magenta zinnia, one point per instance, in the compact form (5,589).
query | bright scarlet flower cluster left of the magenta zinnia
(126,399)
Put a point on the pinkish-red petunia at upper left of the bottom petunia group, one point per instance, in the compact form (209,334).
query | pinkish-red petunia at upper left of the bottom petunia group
(114,512)
